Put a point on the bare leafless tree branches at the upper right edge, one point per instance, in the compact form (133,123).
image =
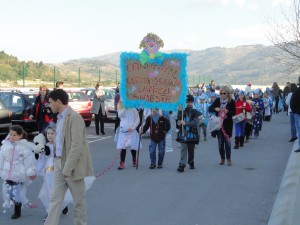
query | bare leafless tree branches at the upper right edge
(286,35)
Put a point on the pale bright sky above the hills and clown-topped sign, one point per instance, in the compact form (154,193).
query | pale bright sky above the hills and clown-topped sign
(55,31)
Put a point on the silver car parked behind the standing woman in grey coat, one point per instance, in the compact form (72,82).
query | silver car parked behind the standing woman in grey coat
(110,111)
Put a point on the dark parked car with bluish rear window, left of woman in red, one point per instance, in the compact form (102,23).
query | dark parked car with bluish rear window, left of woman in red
(20,104)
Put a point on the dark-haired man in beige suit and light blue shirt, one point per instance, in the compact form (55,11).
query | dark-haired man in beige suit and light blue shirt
(72,160)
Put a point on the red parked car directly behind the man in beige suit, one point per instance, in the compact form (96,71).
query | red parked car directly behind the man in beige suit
(80,102)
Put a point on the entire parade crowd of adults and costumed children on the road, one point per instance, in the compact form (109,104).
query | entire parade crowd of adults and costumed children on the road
(241,114)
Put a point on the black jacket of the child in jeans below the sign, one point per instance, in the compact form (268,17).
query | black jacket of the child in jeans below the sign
(157,130)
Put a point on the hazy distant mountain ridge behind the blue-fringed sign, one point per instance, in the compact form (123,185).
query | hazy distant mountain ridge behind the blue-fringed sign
(237,65)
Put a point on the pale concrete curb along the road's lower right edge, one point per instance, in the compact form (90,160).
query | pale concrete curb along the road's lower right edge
(287,204)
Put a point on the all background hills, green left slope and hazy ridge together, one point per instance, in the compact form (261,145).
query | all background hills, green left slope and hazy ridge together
(237,65)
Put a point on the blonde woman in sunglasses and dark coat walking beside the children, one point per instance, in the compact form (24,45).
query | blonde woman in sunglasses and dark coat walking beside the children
(224,107)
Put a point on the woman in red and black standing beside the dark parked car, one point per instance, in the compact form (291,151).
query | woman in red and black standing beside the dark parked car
(41,110)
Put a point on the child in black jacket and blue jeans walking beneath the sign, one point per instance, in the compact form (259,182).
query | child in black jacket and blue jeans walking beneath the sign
(159,127)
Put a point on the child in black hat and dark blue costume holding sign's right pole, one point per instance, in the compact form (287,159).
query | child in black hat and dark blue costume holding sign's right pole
(188,135)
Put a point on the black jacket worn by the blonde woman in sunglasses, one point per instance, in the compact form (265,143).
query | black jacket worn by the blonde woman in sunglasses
(227,123)
